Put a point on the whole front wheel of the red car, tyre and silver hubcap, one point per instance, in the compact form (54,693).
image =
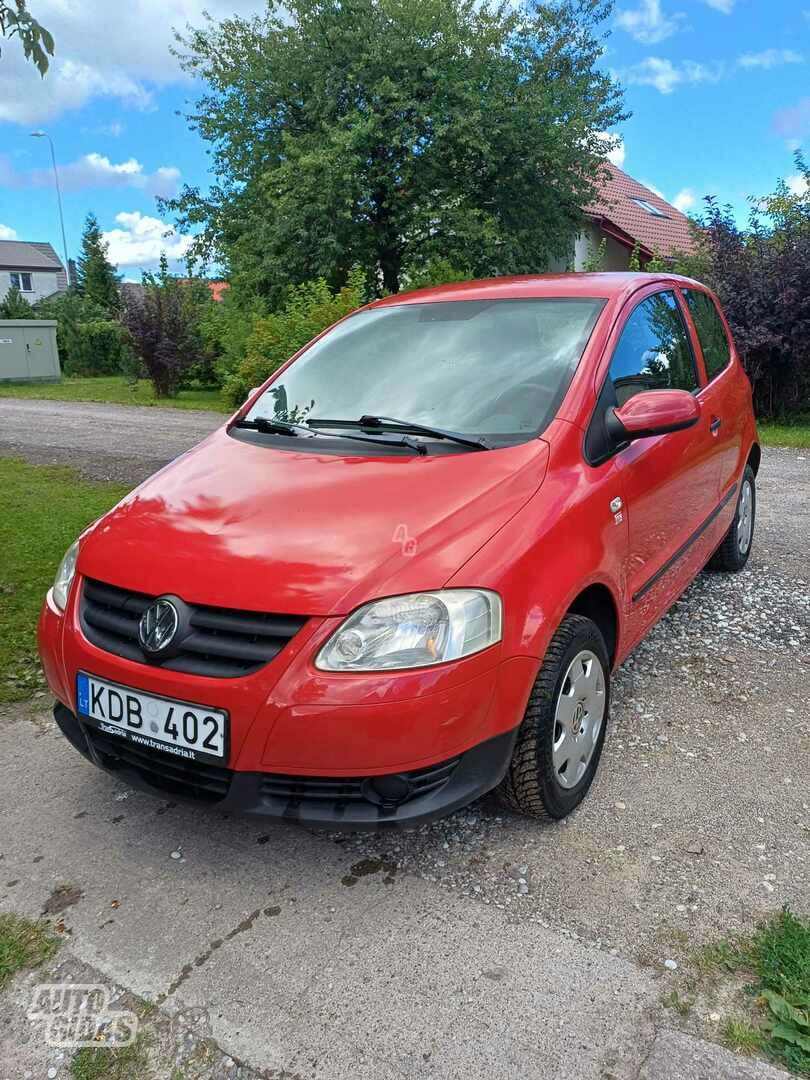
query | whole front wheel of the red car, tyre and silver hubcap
(576,670)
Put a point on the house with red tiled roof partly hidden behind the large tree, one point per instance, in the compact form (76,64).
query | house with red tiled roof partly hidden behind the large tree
(628,215)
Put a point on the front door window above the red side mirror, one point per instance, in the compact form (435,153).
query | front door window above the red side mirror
(654,352)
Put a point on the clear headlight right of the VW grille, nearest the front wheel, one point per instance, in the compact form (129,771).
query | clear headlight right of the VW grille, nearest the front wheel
(414,631)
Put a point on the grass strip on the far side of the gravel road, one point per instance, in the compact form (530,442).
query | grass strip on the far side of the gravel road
(116,390)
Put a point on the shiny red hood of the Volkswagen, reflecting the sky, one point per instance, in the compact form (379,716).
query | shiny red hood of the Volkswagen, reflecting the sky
(261,529)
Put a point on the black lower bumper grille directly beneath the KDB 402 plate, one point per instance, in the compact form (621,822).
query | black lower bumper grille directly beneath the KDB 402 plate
(177,776)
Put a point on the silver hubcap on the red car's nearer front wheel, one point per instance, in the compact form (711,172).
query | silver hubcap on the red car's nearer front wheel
(578,719)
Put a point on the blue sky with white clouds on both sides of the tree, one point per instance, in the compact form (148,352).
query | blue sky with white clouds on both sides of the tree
(720,92)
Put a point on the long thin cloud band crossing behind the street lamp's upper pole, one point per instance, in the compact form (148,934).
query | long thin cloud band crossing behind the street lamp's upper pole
(96,171)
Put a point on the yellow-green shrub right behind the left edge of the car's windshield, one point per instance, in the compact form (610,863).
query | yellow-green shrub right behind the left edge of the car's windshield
(310,309)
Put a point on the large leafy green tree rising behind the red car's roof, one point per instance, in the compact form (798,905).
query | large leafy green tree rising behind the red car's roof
(390,133)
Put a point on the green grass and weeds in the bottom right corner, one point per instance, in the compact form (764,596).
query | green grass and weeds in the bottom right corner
(777,960)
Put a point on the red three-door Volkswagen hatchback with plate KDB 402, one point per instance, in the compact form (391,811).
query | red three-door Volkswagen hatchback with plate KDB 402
(400,576)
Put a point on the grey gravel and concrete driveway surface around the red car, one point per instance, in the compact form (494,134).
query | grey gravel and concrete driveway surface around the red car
(483,944)
